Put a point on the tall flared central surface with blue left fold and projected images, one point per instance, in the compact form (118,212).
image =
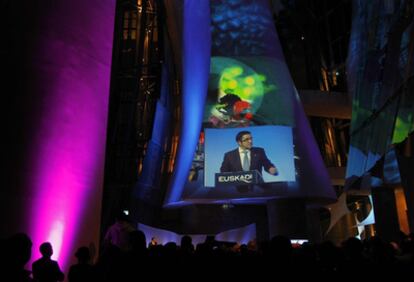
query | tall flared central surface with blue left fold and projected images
(248,88)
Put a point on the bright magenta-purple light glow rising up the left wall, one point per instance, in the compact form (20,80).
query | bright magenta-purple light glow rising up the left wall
(71,63)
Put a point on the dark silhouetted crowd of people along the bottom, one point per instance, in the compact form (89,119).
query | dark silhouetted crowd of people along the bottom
(125,256)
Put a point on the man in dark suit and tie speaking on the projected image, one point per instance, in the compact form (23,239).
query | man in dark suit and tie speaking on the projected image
(246,157)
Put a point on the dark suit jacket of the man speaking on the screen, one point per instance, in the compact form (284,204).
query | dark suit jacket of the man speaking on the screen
(258,161)
